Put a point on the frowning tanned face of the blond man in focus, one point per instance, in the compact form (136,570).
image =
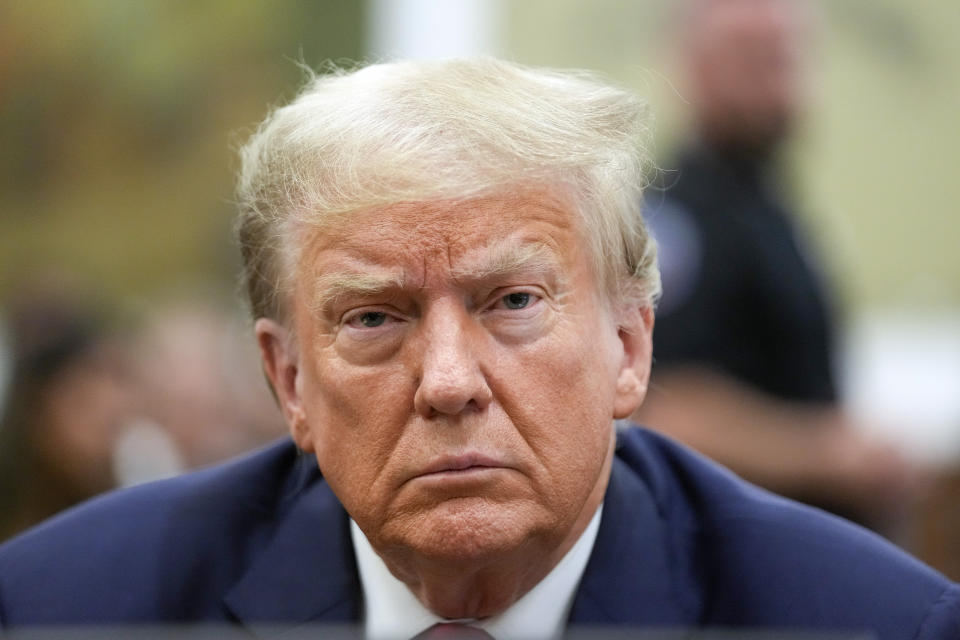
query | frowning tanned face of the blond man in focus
(456,373)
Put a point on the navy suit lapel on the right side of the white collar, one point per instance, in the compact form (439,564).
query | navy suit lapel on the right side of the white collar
(632,577)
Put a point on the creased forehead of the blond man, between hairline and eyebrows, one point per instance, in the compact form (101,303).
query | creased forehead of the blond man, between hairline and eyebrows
(448,232)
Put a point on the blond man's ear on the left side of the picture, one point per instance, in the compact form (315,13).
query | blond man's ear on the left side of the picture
(281,364)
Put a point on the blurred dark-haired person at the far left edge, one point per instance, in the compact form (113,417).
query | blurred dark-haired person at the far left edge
(66,399)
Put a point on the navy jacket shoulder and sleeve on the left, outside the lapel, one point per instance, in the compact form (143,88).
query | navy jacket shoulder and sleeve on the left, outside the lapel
(125,556)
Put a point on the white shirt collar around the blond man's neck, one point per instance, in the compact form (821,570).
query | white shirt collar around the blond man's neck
(392,611)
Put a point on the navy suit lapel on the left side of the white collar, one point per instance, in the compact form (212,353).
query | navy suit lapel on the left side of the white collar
(307,571)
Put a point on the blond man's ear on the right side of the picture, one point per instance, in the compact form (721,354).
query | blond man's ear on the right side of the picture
(635,332)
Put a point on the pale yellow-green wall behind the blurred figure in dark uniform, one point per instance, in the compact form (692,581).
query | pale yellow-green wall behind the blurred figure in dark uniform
(877,163)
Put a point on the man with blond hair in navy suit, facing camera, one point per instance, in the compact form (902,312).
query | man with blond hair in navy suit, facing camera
(453,295)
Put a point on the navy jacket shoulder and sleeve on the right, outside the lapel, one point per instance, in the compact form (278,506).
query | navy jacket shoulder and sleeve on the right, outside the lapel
(763,560)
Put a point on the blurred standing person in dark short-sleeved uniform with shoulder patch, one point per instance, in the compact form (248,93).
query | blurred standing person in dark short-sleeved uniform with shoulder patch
(743,352)
